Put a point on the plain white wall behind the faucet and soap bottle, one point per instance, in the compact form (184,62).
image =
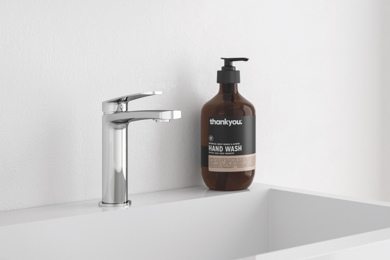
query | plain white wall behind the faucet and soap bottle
(314,75)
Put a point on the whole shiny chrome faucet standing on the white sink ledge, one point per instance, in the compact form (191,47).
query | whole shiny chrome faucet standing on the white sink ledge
(116,119)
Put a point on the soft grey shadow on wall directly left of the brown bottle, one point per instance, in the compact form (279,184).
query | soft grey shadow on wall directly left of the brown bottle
(184,146)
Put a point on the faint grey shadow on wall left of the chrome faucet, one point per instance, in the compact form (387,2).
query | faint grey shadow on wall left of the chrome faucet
(58,182)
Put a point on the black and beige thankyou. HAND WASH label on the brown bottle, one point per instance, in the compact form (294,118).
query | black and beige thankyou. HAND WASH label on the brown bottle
(232,144)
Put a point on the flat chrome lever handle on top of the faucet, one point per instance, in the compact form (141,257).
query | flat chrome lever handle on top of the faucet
(119,104)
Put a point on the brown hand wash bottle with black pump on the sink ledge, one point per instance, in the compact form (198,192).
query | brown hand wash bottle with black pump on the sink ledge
(228,137)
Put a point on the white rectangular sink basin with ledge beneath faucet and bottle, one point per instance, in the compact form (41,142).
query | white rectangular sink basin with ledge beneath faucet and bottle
(264,222)
